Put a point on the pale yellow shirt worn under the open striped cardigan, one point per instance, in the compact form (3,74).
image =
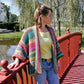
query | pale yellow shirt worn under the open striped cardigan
(45,45)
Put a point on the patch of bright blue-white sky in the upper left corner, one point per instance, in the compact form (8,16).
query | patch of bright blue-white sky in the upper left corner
(13,8)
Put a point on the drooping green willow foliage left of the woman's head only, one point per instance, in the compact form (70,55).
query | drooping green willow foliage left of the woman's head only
(27,9)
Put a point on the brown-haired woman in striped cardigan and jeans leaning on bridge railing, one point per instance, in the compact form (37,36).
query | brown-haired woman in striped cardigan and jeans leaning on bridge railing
(39,45)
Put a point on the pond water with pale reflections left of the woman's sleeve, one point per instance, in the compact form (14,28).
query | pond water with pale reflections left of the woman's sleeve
(7,49)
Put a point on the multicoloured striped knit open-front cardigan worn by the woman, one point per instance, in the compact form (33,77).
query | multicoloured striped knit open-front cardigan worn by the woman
(29,48)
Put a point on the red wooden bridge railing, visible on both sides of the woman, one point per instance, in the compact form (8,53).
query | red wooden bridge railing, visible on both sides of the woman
(70,44)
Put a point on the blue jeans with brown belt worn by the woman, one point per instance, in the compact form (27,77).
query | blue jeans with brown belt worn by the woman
(48,74)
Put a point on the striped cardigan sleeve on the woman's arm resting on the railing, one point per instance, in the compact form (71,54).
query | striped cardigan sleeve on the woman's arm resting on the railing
(22,50)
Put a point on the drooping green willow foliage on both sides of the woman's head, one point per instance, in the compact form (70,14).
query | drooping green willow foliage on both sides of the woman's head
(67,11)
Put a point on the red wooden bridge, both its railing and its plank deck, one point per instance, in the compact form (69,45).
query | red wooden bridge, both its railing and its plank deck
(72,64)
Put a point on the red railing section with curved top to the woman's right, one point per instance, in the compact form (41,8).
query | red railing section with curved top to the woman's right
(70,44)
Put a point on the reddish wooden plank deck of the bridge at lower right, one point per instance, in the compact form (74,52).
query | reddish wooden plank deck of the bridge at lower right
(76,73)
